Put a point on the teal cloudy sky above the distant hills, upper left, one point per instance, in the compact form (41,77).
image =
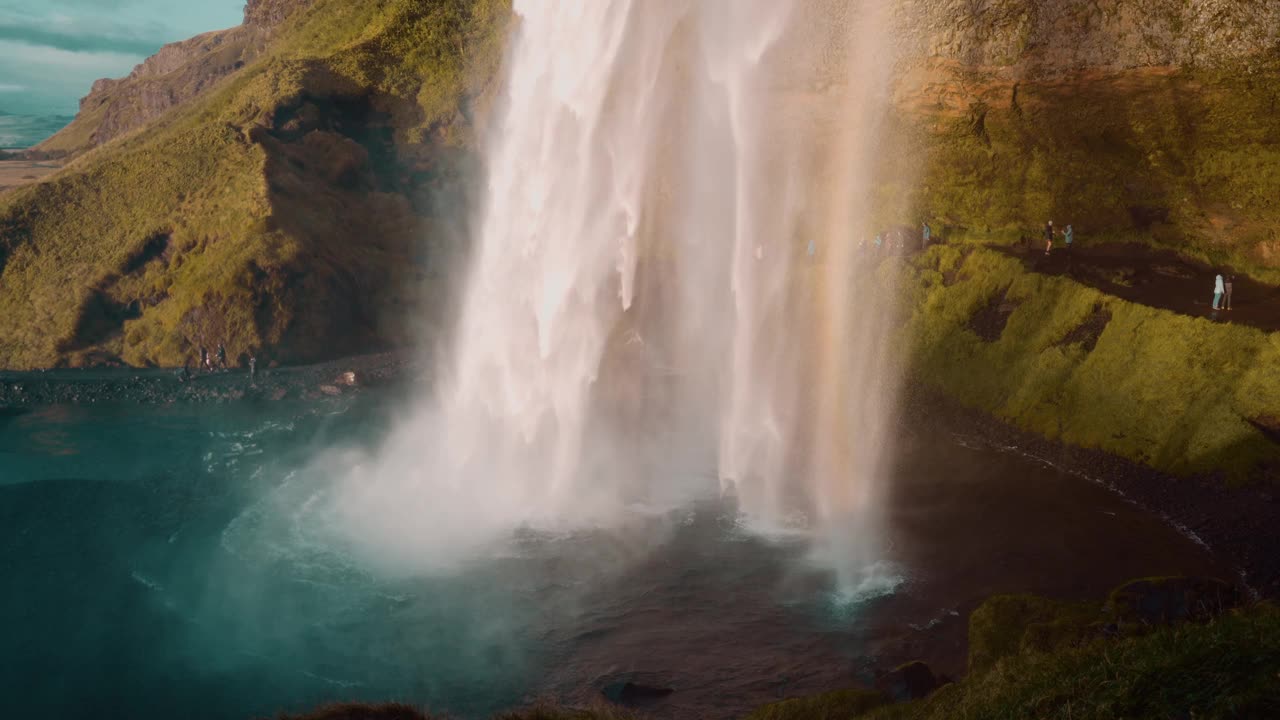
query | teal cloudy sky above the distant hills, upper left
(53,51)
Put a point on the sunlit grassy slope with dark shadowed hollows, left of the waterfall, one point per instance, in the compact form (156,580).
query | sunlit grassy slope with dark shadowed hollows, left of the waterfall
(260,244)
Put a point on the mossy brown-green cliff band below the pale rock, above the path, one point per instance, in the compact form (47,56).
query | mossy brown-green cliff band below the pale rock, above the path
(1183,158)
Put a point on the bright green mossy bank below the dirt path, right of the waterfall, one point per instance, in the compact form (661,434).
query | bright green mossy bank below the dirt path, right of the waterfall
(1171,391)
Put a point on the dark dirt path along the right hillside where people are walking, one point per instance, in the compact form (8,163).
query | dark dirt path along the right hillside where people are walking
(1158,279)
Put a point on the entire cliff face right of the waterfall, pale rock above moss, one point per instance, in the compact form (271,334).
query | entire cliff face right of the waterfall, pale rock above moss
(1144,120)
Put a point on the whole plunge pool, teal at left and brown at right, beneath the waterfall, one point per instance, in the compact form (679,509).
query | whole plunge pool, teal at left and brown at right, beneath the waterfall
(166,563)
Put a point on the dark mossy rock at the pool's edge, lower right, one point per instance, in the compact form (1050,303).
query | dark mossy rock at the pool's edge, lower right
(1164,601)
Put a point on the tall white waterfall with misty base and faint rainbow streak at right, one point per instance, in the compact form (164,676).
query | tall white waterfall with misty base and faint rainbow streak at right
(661,286)
